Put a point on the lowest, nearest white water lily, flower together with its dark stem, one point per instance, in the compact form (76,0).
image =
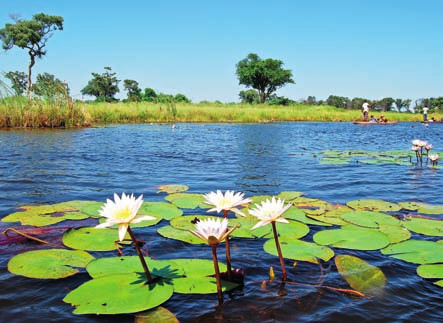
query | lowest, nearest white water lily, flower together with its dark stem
(214,231)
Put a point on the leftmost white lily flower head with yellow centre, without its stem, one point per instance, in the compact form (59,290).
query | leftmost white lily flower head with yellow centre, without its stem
(122,212)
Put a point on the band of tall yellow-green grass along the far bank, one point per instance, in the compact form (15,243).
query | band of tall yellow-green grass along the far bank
(20,112)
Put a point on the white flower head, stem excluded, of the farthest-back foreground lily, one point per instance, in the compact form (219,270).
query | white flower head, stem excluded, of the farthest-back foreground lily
(227,202)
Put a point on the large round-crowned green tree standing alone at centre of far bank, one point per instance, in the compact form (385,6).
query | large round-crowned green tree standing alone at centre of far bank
(266,76)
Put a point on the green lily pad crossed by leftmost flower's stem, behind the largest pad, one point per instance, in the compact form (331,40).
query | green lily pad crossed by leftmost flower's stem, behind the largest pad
(131,264)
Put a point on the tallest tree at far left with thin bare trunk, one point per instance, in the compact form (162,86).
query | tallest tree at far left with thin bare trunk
(31,35)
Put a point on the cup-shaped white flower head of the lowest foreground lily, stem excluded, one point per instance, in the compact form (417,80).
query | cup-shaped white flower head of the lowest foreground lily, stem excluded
(212,230)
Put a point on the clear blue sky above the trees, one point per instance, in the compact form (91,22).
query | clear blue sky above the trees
(352,48)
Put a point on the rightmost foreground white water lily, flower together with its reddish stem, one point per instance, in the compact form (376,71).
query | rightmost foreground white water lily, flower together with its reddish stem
(271,211)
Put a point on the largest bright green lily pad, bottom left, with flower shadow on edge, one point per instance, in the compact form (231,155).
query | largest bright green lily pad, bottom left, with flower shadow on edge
(116,294)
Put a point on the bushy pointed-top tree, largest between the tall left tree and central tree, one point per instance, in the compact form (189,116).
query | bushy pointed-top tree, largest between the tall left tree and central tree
(103,86)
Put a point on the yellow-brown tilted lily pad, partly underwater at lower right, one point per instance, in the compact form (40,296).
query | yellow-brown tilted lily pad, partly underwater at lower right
(360,275)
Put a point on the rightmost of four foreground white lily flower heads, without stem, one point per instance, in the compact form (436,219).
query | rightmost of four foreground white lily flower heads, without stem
(270,211)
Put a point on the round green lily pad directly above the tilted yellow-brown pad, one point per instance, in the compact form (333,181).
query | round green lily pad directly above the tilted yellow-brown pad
(352,237)
